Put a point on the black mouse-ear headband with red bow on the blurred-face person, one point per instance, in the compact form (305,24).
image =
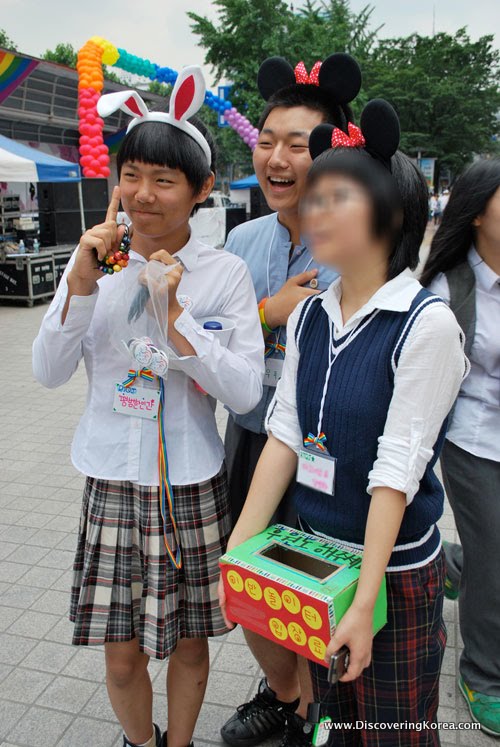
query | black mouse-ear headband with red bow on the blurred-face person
(378,134)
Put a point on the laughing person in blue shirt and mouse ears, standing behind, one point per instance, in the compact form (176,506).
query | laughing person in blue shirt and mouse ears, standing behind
(284,273)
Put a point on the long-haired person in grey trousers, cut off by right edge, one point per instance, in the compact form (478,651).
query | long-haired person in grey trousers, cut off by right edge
(464,269)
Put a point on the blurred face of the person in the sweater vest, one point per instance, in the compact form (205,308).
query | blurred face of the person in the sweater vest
(337,219)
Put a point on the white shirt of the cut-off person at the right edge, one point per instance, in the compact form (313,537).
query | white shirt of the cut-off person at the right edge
(476,420)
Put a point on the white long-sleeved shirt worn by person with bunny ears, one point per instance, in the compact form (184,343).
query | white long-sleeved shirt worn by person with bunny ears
(112,446)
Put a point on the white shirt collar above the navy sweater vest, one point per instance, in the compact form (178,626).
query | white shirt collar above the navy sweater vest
(395,295)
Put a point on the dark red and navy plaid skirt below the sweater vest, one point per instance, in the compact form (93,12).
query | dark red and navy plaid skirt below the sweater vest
(401,685)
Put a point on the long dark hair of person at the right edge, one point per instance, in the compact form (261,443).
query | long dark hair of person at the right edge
(469,199)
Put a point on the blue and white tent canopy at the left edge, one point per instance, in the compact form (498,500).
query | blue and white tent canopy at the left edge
(20,163)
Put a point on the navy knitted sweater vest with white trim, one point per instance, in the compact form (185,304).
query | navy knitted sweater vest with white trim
(356,406)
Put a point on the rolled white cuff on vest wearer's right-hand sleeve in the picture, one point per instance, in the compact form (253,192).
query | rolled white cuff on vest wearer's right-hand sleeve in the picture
(400,465)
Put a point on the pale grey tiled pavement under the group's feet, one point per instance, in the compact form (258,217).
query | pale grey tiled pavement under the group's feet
(52,694)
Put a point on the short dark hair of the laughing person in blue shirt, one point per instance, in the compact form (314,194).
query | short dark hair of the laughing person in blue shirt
(312,97)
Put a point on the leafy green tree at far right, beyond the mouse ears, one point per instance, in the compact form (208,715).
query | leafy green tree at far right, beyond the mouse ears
(445,90)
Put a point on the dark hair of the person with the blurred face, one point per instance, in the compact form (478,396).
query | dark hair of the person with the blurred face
(399,199)
